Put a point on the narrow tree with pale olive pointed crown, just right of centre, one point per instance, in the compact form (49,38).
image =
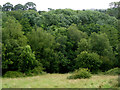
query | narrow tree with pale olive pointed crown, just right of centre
(74,36)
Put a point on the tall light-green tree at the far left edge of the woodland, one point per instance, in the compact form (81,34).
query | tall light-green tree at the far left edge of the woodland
(13,38)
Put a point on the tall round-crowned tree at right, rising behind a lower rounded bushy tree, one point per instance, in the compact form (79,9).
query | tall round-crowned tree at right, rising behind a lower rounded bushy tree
(99,43)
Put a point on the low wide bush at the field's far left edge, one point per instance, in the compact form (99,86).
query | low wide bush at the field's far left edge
(13,74)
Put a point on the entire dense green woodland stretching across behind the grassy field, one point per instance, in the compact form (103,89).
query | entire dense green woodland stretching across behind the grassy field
(60,40)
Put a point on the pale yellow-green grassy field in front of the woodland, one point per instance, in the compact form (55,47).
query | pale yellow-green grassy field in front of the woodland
(60,81)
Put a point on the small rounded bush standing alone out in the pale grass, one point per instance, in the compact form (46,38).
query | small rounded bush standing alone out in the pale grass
(80,73)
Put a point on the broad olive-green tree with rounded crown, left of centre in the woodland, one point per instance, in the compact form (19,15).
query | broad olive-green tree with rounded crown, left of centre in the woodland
(43,44)
